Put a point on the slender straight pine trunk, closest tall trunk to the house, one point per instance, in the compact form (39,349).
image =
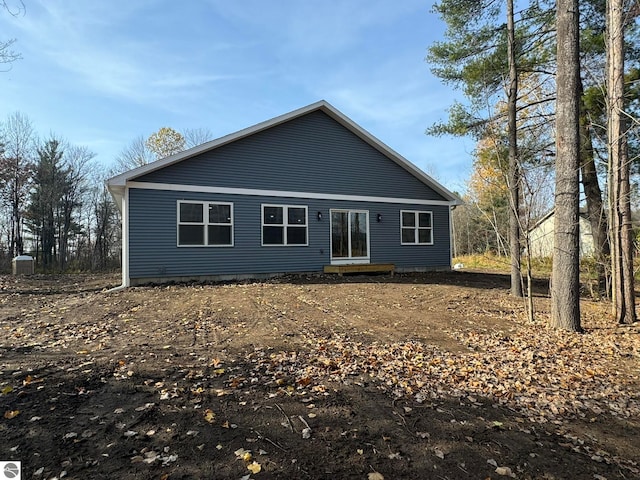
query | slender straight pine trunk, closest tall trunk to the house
(514,167)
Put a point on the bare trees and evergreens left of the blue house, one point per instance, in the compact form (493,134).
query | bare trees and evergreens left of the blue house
(53,201)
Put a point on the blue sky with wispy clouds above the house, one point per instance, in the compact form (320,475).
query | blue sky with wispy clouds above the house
(101,73)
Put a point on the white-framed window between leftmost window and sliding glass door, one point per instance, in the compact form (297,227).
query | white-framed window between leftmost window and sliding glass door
(284,225)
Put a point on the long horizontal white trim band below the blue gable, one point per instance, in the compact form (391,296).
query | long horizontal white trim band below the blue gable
(282,194)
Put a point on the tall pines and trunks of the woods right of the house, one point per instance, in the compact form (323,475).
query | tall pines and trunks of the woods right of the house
(552,98)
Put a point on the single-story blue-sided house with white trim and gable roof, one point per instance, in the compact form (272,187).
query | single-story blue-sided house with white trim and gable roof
(296,193)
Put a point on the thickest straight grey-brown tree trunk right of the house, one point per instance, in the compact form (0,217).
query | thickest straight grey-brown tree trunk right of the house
(565,285)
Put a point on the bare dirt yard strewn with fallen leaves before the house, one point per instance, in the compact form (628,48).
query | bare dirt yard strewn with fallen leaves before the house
(367,377)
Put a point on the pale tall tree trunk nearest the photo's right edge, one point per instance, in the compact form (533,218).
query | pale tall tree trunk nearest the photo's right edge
(619,167)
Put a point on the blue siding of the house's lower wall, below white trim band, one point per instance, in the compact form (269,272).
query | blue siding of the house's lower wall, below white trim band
(154,252)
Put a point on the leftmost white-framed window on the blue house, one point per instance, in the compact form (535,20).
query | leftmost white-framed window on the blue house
(205,224)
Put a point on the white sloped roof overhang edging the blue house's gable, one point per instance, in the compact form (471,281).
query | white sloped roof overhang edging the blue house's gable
(116,185)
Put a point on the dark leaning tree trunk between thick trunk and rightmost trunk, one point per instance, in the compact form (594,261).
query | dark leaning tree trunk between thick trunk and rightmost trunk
(593,196)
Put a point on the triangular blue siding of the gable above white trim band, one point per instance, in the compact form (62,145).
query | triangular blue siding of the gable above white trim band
(312,153)
